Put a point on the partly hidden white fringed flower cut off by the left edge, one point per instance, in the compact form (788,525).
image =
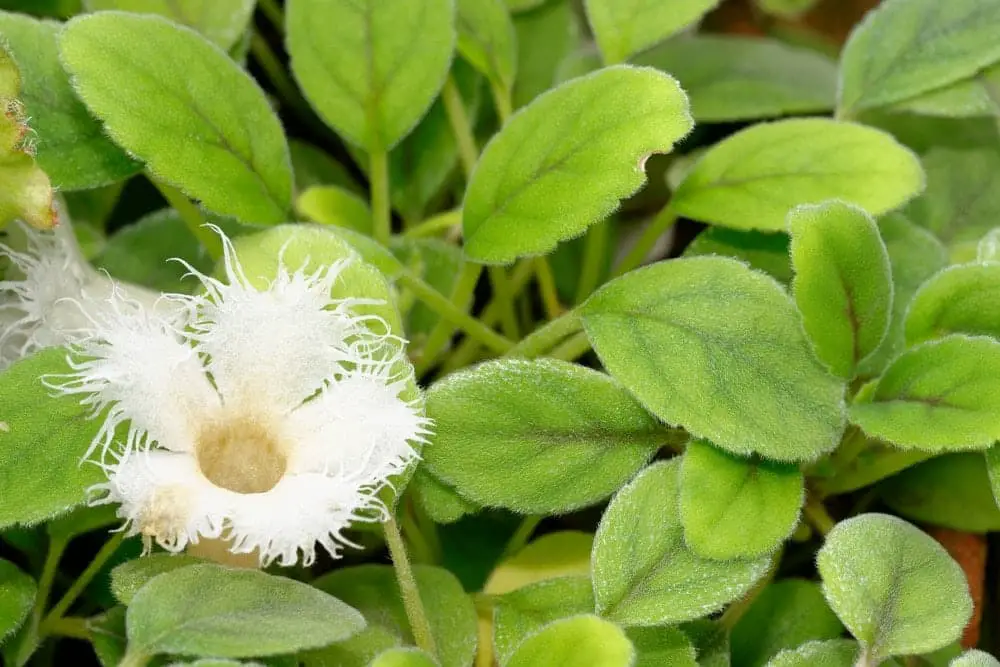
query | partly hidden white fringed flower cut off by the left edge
(56,293)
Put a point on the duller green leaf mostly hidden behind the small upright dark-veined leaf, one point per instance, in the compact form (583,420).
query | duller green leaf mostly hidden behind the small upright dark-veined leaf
(914,255)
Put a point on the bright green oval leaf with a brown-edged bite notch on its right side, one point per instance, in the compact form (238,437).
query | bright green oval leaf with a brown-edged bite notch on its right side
(564,162)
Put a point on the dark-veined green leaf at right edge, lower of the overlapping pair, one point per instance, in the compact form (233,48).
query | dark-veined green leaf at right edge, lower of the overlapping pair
(942,395)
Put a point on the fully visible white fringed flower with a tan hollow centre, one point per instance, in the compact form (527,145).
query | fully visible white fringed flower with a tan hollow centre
(267,418)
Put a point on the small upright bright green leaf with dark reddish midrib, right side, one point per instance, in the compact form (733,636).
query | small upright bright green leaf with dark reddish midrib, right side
(843,283)
